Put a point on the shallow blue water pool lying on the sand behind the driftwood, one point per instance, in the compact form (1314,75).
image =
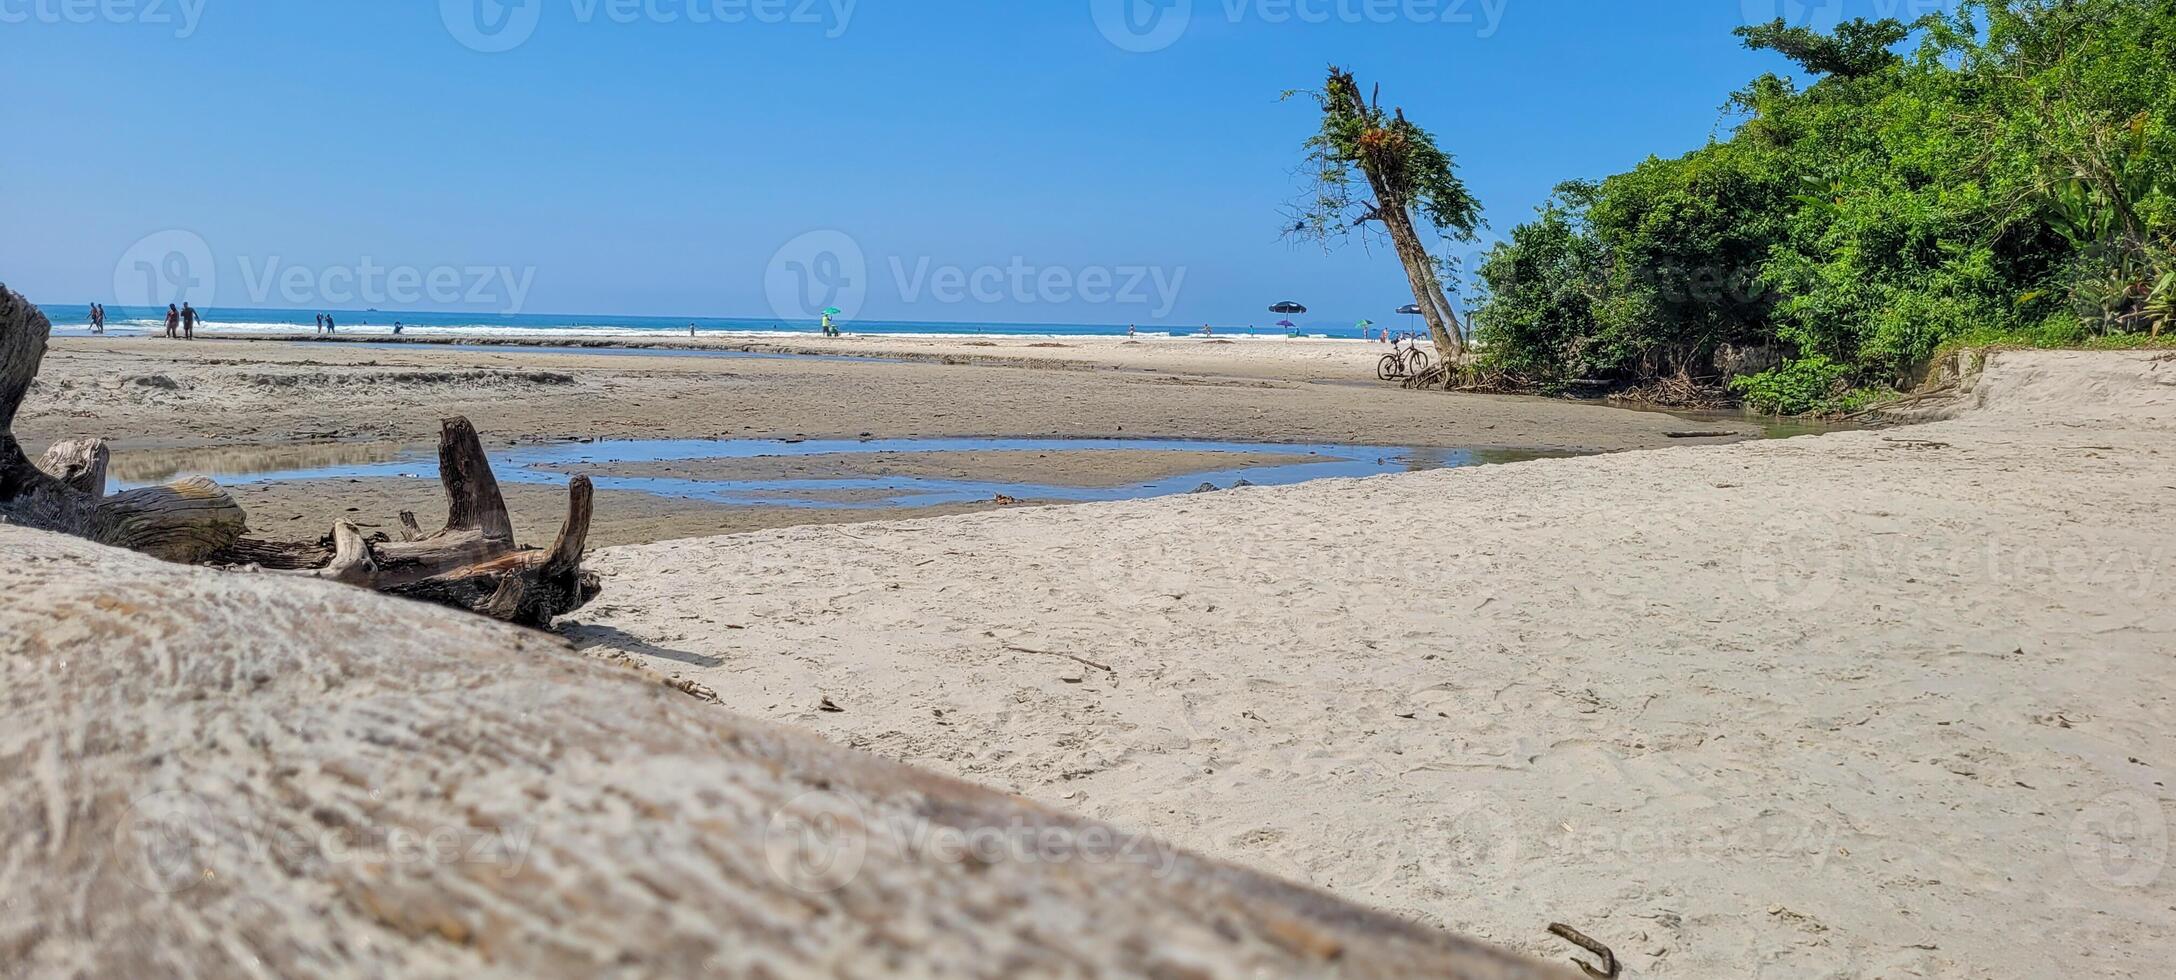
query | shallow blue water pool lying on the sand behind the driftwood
(850,491)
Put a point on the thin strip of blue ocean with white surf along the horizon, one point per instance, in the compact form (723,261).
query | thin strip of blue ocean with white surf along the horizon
(77,319)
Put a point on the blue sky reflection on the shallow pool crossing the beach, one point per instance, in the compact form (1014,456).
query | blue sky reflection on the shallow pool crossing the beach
(554,465)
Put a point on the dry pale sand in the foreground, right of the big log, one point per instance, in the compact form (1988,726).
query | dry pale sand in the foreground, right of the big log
(1868,705)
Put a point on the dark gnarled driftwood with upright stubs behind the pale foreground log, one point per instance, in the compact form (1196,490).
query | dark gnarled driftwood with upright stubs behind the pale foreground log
(473,563)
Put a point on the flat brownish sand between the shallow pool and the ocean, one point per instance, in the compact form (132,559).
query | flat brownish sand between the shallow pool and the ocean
(147,393)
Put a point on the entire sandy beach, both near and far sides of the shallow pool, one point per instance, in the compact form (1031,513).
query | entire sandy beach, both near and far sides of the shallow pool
(1857,705)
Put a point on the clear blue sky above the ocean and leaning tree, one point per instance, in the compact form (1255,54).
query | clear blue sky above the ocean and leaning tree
(647,164)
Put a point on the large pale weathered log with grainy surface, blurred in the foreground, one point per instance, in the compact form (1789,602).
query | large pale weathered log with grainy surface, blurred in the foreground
(217,774)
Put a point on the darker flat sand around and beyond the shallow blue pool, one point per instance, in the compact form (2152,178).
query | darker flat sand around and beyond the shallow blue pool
(260,406)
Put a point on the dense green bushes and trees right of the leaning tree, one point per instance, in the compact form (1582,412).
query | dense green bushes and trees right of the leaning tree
(2005,173)
